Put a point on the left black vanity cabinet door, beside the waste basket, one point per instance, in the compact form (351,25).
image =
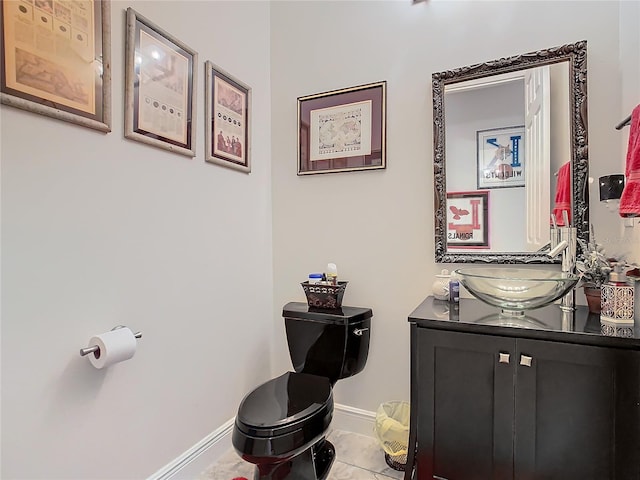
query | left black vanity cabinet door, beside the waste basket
(465,406)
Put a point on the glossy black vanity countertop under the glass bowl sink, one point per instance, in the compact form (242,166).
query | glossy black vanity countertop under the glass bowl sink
(547,323)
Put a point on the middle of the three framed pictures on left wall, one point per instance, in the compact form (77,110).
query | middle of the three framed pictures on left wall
(160,87)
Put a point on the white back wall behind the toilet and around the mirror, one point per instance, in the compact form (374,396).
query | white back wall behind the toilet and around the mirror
(378,225)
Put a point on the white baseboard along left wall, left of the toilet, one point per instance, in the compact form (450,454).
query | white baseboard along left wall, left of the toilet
(194,461)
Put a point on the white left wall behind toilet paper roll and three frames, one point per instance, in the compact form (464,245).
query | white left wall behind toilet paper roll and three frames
(99,231)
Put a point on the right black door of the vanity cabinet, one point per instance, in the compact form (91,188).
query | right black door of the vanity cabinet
(576,414)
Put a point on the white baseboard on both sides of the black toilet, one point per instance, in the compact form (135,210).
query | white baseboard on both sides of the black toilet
(194,461)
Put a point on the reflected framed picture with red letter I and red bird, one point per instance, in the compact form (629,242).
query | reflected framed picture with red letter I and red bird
(468,219)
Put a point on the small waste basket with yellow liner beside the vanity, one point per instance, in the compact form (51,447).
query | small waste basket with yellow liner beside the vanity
(392,431)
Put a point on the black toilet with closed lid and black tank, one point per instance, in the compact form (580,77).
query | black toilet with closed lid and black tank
(282,424)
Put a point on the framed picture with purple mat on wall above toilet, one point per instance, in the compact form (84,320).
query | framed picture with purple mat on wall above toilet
(342,130)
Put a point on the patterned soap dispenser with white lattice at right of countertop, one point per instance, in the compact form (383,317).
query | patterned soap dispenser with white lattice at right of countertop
(616,317)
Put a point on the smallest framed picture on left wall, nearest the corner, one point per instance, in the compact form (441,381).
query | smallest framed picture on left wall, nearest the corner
(227,120)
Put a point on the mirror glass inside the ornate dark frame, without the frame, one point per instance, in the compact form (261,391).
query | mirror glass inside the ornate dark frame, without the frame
(516,130)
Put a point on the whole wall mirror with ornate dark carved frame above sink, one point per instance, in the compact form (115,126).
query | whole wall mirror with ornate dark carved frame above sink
(510,149)
